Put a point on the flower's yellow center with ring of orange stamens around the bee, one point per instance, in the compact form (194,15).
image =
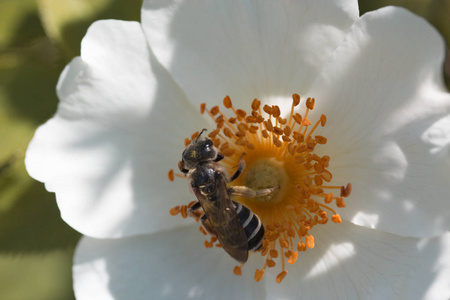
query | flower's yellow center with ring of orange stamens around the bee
(278,152)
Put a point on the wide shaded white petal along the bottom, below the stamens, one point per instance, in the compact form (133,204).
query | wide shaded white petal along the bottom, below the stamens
(348,262)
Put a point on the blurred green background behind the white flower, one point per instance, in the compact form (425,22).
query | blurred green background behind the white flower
(37,39)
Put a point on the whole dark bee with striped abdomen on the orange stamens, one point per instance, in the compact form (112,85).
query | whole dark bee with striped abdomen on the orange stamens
(236,227)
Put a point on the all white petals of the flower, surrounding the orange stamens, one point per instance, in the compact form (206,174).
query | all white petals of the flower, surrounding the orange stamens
(133,96)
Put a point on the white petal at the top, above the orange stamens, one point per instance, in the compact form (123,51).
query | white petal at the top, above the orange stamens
(245,49)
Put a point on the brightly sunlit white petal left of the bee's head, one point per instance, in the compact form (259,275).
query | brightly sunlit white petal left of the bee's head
(119,128)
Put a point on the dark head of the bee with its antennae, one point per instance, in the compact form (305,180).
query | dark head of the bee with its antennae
(199,151)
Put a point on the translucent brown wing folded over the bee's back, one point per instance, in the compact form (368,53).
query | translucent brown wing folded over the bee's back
(225,222)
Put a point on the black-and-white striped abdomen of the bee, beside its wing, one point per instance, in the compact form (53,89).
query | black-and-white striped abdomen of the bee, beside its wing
(254,229)
